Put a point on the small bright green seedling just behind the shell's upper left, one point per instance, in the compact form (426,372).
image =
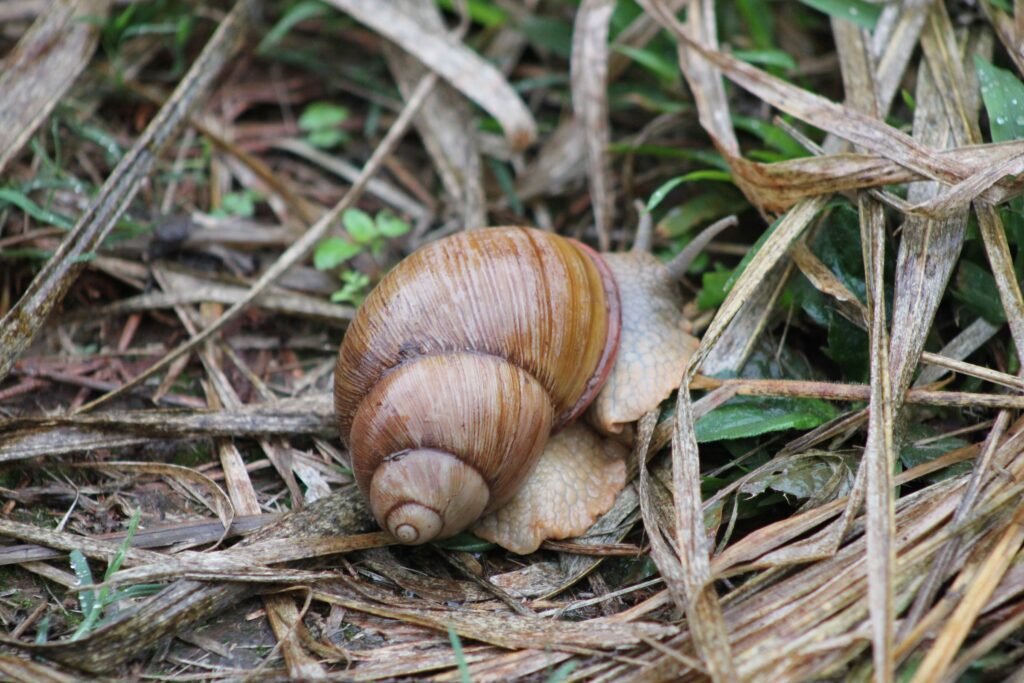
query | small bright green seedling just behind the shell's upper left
(366,235)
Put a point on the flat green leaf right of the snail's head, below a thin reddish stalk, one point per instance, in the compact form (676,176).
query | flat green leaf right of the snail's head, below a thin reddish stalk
(744,417)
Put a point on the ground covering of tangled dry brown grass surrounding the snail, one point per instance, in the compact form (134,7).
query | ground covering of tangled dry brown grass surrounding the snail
(166,347)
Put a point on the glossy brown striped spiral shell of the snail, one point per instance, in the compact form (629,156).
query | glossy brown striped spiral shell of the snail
(461,364)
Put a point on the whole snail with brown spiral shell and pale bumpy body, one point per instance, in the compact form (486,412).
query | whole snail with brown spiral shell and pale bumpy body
(459,383)
